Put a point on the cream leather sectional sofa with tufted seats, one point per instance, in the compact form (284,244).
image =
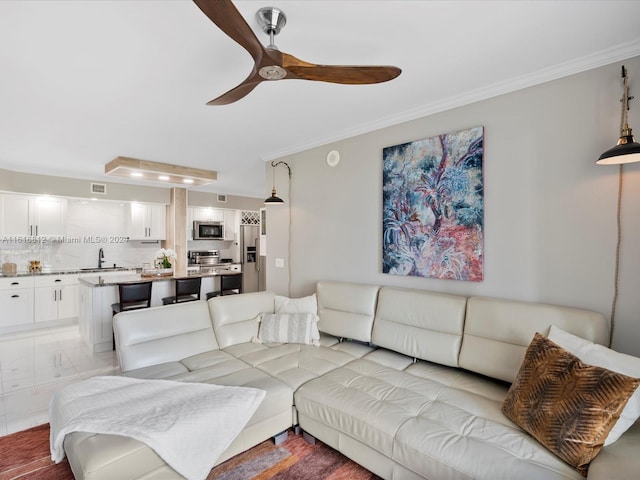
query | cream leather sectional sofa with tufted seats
(407,383)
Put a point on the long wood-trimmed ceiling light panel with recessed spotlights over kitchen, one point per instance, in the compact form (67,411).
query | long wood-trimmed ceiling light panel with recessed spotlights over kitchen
(158,172)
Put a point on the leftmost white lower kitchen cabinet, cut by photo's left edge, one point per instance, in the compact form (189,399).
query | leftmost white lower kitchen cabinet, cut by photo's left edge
(16,301)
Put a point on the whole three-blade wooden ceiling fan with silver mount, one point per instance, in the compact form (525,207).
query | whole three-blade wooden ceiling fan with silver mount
(271,63)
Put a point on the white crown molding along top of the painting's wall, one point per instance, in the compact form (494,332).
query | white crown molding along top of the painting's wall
(578,65)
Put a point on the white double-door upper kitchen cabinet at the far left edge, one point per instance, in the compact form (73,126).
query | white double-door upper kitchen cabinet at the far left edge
(24,215)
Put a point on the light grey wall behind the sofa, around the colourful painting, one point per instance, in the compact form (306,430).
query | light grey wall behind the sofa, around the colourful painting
(550,212)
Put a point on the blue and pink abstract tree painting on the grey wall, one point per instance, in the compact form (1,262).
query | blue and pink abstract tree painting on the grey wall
(433,208)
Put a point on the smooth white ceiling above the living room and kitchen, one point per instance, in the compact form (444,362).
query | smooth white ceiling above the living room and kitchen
(84,82)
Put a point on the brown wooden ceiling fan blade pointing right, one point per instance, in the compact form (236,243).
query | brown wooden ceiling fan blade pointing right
(345,74)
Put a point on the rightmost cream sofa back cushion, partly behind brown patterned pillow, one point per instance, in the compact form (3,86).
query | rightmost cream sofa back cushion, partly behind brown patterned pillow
(497,332)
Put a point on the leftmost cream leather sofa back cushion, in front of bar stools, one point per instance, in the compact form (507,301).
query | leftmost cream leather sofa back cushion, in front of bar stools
(163,334)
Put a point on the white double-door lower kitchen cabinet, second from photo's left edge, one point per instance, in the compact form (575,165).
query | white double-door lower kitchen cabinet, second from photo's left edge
(56,297)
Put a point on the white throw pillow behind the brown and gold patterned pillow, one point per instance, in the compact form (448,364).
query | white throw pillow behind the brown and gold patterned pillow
(601,356)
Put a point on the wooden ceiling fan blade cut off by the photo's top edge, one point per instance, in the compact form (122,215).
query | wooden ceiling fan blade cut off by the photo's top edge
(226,16)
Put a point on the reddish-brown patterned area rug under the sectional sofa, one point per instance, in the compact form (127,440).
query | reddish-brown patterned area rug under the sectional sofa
(25,455)
